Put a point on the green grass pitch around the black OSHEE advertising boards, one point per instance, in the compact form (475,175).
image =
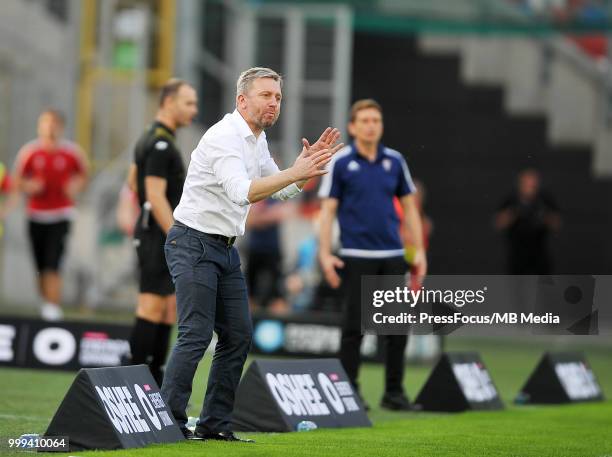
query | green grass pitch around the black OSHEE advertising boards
(28,400)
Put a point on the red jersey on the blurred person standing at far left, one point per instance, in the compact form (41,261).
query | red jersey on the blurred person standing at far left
(55,169)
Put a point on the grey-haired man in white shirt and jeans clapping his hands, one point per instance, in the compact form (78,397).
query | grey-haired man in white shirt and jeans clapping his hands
(230,169)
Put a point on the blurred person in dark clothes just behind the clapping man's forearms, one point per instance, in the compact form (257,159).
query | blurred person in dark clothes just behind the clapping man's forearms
(264,255)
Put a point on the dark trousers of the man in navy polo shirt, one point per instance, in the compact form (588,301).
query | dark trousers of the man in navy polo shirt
(350,345)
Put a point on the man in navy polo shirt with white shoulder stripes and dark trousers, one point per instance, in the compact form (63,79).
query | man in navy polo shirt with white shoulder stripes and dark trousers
(363,179)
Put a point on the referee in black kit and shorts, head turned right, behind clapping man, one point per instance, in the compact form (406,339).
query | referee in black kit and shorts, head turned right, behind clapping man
(157,175)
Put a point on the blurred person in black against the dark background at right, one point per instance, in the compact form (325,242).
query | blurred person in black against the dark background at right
(527,217)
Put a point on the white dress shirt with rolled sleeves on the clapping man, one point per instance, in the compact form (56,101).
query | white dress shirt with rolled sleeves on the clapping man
(222,167)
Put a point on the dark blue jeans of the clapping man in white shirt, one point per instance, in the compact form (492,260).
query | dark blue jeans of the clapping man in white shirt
(211,295)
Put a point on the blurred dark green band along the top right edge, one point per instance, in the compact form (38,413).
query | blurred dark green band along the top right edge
(515,17)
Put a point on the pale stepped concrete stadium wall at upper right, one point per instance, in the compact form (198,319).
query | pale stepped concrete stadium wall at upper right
(559,83)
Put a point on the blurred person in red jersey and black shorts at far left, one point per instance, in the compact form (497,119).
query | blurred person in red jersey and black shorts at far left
(51,172)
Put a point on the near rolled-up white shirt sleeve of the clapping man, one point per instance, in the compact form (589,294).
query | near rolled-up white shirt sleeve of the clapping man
(227,163)
